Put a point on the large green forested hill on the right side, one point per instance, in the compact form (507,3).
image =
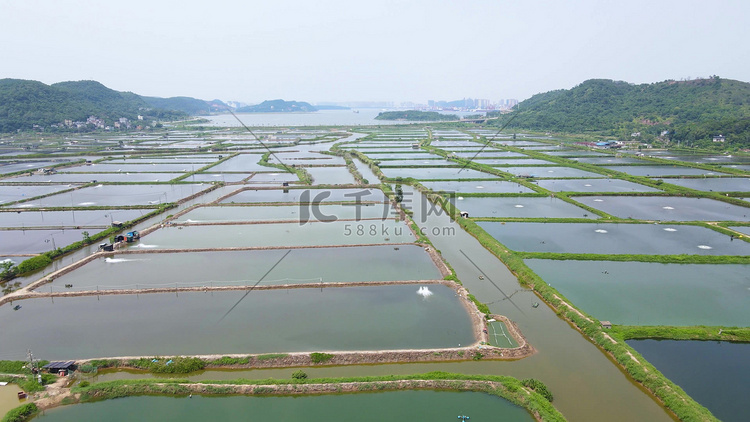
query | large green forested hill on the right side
(691,111)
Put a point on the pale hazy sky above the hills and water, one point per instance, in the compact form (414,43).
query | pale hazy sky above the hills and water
(339,50)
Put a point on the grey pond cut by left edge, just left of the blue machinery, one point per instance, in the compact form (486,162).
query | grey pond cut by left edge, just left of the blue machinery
(37,241)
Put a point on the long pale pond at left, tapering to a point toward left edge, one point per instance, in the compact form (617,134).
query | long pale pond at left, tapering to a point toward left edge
(119,195)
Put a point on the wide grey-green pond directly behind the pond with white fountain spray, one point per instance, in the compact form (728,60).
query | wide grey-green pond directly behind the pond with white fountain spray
(238,268)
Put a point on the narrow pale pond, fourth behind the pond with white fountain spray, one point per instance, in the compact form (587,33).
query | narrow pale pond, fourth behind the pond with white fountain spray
(306,195)
